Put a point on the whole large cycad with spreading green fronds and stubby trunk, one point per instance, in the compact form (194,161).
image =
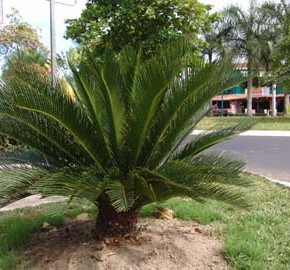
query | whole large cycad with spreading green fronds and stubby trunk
(118,141)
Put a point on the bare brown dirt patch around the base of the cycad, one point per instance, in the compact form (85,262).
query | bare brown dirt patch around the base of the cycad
(159,244)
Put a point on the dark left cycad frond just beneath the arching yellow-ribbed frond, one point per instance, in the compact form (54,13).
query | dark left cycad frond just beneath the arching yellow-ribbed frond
(33,131)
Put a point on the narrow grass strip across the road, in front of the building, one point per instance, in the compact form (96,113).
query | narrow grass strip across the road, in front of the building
(263,122)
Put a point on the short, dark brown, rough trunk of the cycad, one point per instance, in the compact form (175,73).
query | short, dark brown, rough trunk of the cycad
(112,223)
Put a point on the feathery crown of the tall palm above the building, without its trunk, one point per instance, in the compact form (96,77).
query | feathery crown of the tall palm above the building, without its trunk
(247,35)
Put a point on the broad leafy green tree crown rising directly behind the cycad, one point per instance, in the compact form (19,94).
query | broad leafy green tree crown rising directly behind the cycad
(146,23)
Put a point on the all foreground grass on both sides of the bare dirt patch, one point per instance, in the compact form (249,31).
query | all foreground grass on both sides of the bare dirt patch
(258,238)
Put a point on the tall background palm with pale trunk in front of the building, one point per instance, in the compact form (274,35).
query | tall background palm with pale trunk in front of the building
(247,39)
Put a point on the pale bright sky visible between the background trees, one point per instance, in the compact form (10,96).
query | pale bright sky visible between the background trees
(37,13)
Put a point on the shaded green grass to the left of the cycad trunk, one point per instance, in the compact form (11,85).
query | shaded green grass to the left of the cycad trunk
(16,227)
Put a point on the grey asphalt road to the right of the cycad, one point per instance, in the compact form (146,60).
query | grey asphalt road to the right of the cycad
(268,156)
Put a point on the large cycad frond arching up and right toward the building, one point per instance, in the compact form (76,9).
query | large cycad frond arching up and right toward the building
(185,107)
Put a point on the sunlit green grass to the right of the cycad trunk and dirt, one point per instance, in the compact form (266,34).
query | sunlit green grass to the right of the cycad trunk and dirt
(256,239)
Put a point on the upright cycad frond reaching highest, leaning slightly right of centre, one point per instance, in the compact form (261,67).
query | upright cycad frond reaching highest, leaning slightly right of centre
(150,88)
